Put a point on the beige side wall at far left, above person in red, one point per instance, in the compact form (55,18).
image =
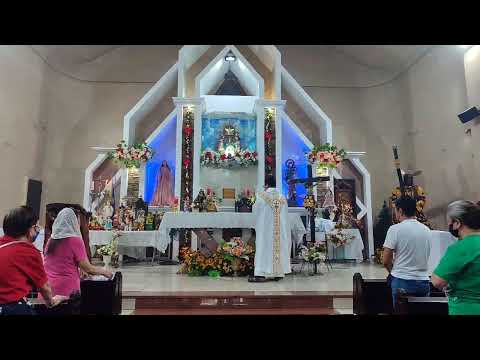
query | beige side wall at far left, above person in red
(22,122)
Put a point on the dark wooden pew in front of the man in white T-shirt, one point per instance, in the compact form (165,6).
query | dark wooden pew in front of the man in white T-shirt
(374,296)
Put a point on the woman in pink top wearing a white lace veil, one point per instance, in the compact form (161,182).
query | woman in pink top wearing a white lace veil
(65,253)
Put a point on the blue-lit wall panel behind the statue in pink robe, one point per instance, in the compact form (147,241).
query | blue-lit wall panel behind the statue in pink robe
(164,144)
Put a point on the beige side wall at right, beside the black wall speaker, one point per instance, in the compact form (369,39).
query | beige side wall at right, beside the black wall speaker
(435,92)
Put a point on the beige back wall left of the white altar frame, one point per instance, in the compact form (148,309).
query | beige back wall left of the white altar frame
(81,115)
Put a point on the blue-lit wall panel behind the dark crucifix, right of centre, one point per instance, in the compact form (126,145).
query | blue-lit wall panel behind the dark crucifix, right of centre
(294,148)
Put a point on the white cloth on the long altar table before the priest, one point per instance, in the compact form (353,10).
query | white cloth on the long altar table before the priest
(218,220)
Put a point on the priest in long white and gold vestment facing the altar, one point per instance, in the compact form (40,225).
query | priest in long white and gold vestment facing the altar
(273,236)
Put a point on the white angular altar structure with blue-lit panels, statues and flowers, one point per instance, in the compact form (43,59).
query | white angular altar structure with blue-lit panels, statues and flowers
(224,136)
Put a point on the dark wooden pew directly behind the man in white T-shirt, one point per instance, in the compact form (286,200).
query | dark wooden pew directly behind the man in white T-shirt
(411,305)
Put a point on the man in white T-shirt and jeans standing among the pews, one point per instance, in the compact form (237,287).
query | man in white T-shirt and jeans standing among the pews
(409,240)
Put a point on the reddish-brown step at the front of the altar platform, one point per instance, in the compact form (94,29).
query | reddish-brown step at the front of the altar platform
(236,303)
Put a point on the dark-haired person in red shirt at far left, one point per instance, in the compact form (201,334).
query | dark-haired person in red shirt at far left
(21,264)
